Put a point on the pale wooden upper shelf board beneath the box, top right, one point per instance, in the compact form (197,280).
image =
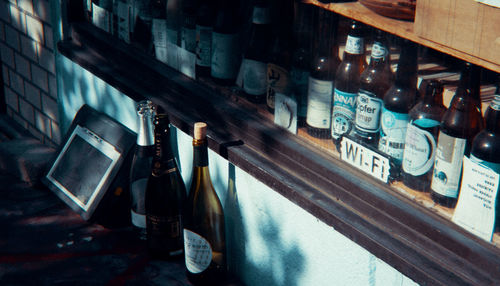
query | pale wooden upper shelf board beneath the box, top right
(403,29)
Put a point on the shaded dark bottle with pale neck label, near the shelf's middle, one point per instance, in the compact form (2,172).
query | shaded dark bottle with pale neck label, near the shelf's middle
(256,54)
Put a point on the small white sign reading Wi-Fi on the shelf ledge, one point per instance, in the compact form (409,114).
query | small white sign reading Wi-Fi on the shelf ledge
(365,159)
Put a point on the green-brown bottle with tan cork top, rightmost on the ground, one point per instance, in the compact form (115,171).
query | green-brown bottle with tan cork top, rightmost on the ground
(204,230)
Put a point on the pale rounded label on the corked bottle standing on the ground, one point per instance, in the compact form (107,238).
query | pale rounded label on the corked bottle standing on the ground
(198,252)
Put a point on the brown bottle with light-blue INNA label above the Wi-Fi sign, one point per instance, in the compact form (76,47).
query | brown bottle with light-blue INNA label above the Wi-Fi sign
(347,83)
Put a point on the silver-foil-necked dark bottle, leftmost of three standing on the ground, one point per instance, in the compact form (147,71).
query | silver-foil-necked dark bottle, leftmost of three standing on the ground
(141,166)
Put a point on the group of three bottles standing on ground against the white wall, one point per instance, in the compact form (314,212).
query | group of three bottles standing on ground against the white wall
(171,221)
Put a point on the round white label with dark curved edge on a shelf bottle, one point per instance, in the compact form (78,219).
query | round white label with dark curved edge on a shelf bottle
(419,152)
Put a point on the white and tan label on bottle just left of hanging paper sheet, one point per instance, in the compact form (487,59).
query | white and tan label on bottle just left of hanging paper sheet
(448,165)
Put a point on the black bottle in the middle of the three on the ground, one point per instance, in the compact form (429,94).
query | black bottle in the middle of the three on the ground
(165,197)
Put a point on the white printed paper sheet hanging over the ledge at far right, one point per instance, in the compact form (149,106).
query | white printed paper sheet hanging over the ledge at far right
(475,209)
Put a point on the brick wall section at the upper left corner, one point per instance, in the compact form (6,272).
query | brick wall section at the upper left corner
(28,65)
